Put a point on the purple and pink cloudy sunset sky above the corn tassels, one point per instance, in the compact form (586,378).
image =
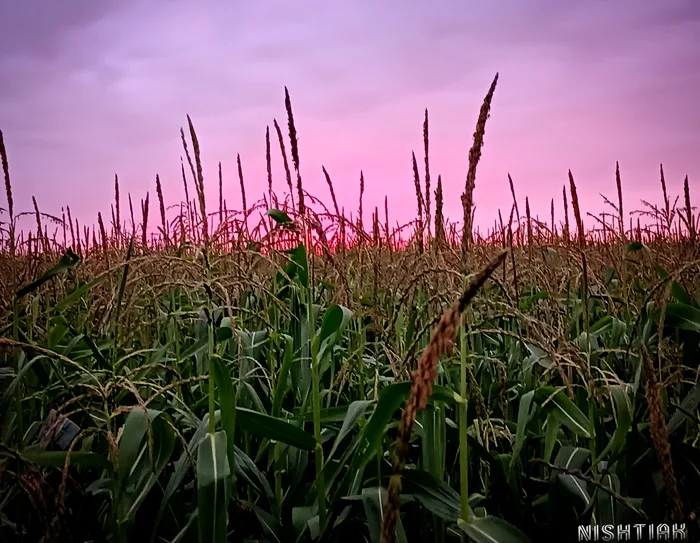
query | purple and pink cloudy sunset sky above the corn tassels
(89,89)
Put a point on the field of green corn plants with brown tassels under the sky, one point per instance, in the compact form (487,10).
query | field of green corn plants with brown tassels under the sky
(282,373)
